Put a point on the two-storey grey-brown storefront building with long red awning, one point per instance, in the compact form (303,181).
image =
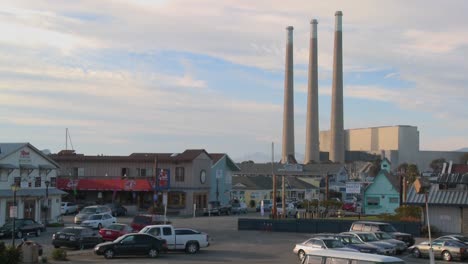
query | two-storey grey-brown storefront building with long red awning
(138,181)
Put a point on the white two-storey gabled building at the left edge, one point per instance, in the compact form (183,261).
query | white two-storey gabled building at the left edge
(28,178)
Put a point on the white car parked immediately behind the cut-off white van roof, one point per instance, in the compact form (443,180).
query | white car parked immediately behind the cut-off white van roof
(301,249)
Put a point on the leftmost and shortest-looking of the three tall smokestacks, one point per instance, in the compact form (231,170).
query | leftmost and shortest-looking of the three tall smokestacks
(288,114)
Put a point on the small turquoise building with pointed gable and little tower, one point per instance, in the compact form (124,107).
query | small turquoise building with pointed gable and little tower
(383,195)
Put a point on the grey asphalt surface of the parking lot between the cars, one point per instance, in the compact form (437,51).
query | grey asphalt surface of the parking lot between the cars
(227,244)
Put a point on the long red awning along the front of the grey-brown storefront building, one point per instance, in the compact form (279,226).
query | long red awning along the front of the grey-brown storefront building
(104,184)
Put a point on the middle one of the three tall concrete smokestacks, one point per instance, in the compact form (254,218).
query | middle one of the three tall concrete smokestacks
(312,152)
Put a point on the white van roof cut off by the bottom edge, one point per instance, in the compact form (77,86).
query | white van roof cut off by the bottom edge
(339,257)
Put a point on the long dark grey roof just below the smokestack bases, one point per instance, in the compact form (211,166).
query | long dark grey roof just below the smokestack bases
(309,169)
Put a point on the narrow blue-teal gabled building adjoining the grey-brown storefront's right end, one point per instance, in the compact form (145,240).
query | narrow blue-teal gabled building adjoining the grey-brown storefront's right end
(221,177)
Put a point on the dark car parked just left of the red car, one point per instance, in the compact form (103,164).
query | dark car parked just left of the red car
(76,237)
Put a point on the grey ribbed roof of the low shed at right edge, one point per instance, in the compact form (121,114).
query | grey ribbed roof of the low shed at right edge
(439,197)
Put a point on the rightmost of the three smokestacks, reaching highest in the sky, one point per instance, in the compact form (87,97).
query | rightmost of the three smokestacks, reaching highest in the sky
(337,130)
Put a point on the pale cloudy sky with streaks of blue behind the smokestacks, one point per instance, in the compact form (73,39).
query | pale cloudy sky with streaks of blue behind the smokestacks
(130,76)
